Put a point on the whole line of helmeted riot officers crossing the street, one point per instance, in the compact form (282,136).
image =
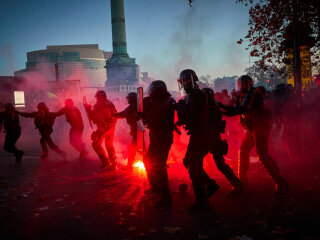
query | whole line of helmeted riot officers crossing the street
(203,115)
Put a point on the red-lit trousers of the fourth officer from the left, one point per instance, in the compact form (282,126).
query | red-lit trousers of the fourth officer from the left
(97,139)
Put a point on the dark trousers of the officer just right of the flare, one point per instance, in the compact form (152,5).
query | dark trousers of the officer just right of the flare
(155,162)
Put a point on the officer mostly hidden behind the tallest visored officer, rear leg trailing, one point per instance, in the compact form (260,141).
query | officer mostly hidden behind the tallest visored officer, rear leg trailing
(219,148)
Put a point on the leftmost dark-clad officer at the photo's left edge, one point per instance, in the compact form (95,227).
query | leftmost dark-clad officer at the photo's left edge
(13,131)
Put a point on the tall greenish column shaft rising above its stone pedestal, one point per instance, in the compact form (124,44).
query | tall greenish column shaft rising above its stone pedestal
(119,41)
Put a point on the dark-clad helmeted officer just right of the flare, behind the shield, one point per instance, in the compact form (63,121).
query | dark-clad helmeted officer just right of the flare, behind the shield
(158,116)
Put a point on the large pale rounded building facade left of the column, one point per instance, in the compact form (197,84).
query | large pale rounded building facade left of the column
(83,63)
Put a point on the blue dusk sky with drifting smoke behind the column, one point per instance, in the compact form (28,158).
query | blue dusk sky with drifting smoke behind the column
(165,36)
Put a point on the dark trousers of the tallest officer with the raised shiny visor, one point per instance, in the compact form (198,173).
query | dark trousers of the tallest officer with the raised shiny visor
(197,149)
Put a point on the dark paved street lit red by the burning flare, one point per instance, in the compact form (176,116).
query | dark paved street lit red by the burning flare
(56,199)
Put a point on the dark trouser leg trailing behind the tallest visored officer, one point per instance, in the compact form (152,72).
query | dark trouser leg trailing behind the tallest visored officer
(225,169)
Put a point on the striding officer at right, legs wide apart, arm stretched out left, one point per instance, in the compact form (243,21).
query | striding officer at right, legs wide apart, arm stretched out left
(256,120)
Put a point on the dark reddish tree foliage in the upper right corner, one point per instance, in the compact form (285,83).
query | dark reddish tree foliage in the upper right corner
(270,28)
